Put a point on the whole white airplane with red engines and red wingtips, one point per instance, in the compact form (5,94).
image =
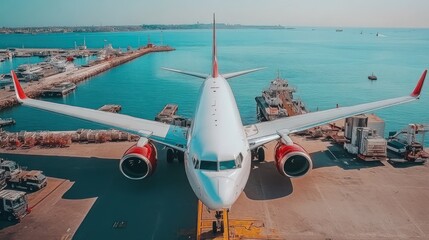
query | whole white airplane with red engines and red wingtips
(217,148)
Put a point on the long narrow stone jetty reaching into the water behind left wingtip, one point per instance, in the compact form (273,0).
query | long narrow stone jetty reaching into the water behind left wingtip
(36,88)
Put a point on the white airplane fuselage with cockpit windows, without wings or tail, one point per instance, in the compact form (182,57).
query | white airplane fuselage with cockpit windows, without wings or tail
(217,161)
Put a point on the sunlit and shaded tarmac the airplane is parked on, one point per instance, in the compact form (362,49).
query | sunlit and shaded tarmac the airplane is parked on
(341,198)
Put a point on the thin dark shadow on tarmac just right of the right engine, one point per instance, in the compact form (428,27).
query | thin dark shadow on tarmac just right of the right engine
(336,156)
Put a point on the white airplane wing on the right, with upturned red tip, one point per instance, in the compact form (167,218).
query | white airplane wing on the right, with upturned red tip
(264,132)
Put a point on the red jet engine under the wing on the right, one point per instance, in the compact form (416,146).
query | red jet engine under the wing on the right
(292,160)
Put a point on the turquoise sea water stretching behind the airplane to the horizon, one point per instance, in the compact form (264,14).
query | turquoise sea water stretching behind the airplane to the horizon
(326,67)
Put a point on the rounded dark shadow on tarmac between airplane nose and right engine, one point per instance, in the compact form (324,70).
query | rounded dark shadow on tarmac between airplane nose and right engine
(266,183)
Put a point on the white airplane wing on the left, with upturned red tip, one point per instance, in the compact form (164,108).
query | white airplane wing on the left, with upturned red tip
(169,135)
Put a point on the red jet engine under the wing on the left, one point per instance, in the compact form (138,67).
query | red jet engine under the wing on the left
(139,162)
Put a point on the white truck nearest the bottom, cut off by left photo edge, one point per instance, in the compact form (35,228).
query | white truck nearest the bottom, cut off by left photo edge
(13,205)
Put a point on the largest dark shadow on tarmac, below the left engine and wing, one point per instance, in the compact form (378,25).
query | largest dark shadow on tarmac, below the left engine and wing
(159,207)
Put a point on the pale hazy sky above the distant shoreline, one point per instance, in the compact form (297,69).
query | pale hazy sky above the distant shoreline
(337,13)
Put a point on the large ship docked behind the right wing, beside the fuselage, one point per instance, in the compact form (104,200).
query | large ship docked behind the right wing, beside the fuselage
(278,101)
